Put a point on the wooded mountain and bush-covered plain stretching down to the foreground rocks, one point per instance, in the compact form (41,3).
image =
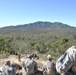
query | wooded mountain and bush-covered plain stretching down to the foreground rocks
(43,37)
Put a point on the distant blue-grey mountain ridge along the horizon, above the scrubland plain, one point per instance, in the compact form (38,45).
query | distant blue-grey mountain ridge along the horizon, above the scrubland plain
(38,26)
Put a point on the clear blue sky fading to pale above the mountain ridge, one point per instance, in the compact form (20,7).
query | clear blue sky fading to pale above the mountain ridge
(15,12)
